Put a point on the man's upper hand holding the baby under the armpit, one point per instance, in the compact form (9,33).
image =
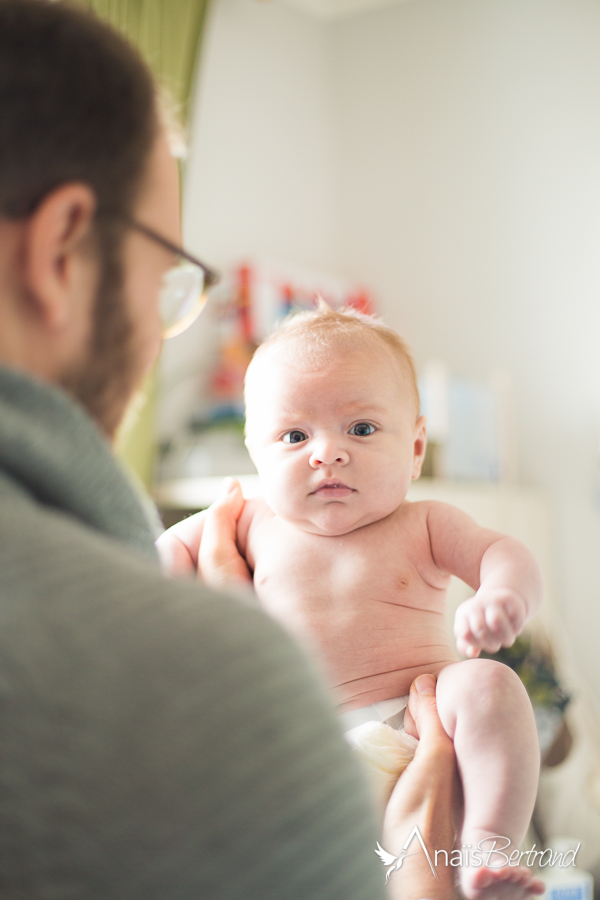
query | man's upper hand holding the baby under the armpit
(219,561)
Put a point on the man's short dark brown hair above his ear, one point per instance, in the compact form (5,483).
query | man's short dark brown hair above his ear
(77,104)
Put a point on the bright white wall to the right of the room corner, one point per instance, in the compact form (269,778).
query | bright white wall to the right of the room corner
(469,191)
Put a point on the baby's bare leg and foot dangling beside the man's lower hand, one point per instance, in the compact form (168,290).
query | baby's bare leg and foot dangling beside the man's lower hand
(486,711)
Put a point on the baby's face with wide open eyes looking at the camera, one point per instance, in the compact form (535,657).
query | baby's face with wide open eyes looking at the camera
(337,442)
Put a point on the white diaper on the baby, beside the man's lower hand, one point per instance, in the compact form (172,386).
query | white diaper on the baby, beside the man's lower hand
(377,735)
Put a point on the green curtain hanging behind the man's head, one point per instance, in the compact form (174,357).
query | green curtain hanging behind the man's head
(167,33)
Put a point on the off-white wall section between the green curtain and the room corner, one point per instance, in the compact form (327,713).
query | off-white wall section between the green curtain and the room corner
(259,179)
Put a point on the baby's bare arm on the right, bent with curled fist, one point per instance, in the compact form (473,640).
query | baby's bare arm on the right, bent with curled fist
(499,568)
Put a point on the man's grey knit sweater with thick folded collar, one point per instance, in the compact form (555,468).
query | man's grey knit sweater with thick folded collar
(157,740)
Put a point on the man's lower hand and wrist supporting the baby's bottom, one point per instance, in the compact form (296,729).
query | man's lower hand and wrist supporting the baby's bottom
(426,795)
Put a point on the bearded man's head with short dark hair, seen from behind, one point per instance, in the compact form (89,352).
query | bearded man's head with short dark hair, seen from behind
(81,150)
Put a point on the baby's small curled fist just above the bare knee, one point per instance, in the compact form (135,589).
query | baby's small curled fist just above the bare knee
(491,619)
